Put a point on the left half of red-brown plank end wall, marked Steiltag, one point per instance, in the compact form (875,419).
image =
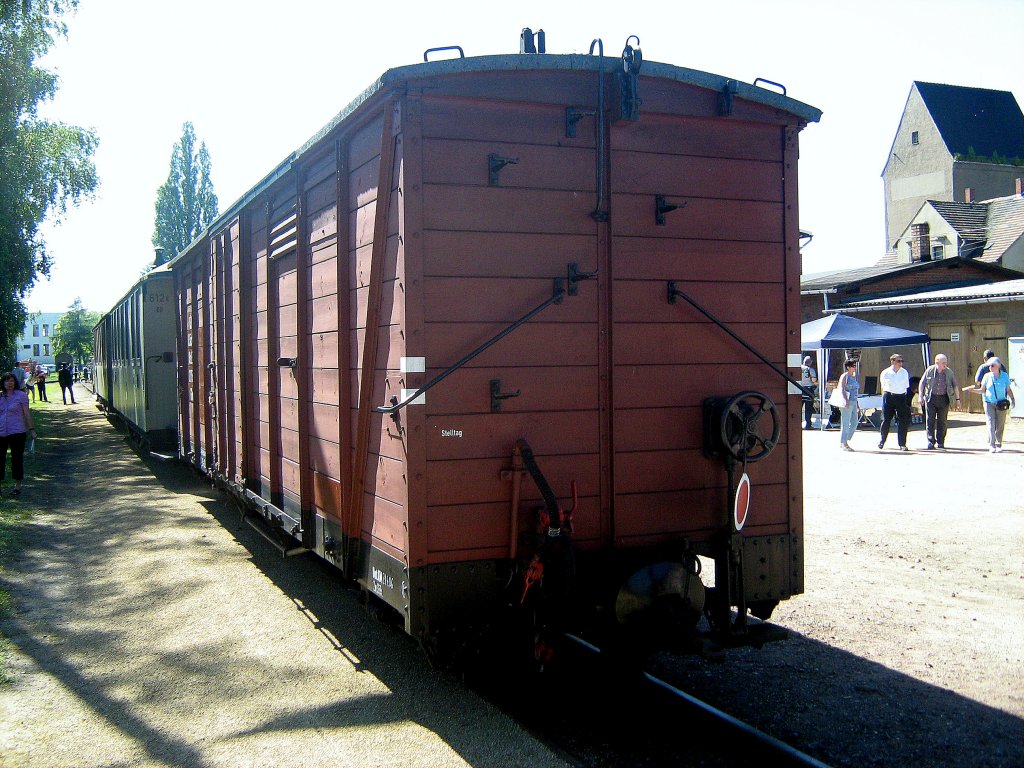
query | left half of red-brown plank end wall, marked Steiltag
(492,252)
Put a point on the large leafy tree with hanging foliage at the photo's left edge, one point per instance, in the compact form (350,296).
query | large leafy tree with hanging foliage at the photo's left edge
(45,166)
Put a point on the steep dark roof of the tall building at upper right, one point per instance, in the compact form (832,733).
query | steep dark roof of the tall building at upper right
(976,120)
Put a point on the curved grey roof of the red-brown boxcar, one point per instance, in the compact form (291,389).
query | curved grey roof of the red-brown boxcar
(515,63)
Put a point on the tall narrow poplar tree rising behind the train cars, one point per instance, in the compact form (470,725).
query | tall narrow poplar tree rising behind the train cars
(186,203)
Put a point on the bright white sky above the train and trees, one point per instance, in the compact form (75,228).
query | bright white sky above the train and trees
(260,79)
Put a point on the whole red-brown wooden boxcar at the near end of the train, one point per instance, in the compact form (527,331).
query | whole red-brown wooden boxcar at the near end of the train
(460,302)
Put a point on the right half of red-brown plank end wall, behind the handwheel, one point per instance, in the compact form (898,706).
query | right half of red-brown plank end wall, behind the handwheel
(723,246)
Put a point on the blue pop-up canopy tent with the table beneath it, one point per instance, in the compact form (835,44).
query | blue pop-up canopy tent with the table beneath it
(843,332)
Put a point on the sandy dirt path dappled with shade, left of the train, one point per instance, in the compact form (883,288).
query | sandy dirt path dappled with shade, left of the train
(150,628)
